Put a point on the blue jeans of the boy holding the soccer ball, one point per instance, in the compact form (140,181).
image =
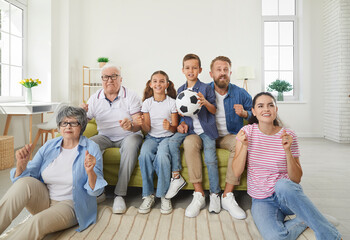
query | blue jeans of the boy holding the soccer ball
(210,158)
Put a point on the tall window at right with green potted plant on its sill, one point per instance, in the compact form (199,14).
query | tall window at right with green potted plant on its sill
(280,45)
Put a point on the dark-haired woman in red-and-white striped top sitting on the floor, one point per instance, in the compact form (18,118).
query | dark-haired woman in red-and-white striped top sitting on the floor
(274,173)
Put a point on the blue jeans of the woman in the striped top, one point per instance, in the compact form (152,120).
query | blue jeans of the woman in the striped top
(289,199)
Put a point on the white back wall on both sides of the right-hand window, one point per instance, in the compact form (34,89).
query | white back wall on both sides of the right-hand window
(143,37)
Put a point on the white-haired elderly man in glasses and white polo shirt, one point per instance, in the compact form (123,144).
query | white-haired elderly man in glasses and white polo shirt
(114,108)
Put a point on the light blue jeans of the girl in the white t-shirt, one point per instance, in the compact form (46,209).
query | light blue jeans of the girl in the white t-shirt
(155,157)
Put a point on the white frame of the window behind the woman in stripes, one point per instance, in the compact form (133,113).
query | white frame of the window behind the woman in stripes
(296,78)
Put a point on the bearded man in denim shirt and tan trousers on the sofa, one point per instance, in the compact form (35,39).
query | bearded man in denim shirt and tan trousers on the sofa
(233,104)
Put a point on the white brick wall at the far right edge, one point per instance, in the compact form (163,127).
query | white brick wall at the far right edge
(336,17)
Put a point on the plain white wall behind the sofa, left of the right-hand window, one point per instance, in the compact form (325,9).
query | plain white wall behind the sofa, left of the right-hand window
(145,36)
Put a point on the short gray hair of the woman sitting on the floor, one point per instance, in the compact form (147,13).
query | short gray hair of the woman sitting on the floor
(76,112)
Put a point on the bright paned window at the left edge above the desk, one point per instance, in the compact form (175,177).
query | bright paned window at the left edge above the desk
(11,48)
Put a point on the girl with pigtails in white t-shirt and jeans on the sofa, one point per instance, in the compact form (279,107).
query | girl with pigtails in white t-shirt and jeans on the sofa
(160,121)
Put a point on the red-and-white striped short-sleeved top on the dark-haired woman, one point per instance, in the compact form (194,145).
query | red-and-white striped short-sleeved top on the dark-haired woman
(267,160)
